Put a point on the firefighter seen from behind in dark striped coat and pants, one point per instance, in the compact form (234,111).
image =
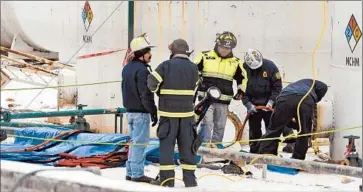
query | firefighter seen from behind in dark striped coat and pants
(174,82)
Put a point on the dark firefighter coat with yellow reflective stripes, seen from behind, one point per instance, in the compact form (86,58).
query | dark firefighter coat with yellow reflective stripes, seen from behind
(174,81)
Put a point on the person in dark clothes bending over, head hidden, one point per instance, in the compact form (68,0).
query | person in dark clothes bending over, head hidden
(286,109)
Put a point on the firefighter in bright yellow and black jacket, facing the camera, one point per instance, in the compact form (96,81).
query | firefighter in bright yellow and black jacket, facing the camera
(219,67)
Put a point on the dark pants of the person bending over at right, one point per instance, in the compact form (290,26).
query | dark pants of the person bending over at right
(285,110)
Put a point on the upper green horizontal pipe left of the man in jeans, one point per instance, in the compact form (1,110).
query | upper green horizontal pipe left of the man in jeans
(8,116)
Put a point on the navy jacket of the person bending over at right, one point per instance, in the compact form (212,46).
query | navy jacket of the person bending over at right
(302,86)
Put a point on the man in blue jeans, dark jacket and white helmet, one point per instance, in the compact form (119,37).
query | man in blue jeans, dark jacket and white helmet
(140,105)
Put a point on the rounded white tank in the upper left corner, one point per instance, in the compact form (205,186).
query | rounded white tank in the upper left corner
(48,25)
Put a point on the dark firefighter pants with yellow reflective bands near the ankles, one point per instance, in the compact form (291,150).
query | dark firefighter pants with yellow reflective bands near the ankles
(182,130)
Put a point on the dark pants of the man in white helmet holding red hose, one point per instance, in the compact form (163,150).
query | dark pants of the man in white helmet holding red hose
(255,131)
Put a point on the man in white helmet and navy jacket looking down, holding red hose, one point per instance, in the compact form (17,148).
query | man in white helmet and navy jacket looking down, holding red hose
(264,84)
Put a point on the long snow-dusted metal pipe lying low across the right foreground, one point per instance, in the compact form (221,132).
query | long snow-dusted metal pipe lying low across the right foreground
(309,166)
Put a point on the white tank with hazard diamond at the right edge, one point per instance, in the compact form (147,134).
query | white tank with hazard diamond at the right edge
(346,70)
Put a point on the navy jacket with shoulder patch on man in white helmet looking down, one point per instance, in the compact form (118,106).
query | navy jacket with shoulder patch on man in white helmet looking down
(264,83)
